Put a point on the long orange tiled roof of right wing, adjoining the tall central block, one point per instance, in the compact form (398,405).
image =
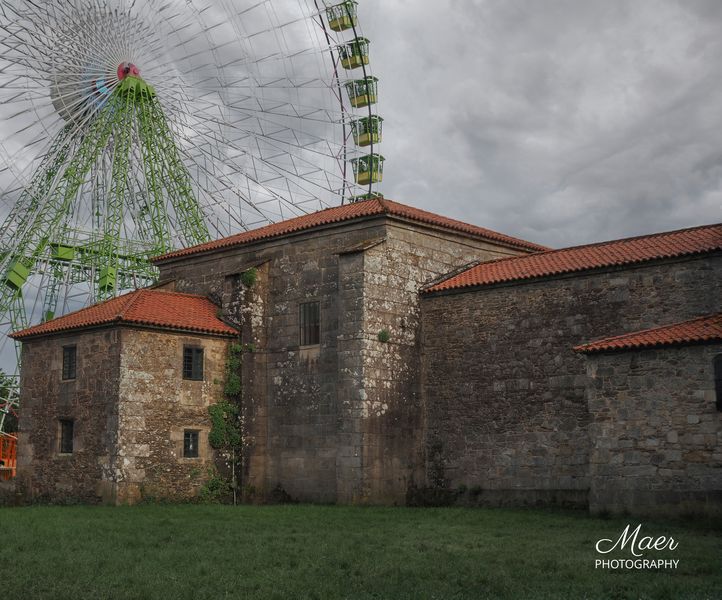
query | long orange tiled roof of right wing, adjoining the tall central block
(696,240)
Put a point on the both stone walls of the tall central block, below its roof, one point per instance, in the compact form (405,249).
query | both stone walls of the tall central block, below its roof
(325,422)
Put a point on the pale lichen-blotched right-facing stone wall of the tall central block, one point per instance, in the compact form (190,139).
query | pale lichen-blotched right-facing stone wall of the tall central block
(391,414)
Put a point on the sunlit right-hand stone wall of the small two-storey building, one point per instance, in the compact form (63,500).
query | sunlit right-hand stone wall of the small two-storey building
(155,406)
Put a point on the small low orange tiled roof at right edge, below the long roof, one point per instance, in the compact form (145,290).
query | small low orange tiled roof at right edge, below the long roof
(704,329)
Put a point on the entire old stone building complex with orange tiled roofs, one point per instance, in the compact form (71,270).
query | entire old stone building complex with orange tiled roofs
(394,355)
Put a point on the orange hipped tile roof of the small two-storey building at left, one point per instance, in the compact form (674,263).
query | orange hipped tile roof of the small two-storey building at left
(156,308)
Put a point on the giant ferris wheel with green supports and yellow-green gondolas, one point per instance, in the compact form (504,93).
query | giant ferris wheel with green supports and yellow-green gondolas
(130,128)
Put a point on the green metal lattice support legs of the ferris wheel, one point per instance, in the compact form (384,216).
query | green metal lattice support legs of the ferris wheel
(42,243)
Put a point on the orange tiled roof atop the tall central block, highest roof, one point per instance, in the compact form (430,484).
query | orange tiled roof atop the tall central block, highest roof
(348,212)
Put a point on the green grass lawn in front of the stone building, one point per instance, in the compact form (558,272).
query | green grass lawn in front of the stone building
(285,552)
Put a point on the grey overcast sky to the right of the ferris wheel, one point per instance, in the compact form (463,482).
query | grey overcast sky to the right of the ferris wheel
(562,122)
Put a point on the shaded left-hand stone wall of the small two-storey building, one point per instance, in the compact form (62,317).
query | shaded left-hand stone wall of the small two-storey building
(44,474)
